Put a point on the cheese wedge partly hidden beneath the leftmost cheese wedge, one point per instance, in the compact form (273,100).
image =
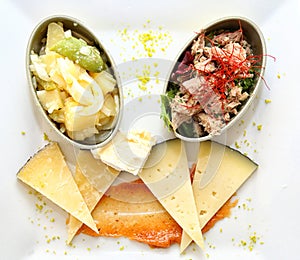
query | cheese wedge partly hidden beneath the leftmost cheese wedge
(89,170)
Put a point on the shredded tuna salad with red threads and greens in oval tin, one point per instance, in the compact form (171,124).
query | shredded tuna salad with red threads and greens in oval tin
(209,84)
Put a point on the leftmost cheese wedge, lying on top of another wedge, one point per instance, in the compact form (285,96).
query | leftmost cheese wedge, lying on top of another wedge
(48,173)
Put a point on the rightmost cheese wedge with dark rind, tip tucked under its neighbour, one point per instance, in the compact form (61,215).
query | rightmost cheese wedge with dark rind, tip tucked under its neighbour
(220,172)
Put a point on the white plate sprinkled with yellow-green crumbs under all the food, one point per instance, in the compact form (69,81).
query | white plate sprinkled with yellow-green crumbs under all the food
(268,202)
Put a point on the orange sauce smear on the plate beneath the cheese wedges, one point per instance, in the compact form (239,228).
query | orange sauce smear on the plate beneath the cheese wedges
(130,210)
